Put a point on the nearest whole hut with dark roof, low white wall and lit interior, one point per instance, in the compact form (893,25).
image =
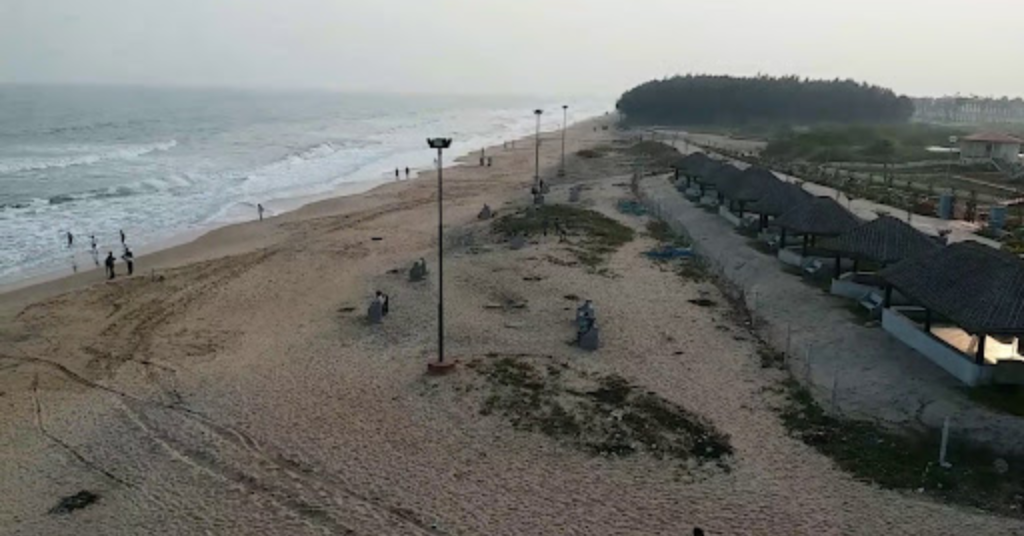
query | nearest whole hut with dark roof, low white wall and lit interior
(978,295)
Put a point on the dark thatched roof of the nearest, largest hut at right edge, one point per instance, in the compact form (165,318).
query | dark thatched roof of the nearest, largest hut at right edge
(978,287)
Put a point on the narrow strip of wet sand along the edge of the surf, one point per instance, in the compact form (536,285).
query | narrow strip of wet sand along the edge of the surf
(204,243)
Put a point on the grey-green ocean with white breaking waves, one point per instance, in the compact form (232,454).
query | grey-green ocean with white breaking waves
(163,163)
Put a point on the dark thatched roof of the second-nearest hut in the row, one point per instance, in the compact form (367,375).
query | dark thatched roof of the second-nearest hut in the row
(885,240)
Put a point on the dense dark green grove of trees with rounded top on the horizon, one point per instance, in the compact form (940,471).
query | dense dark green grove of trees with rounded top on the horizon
(704,100)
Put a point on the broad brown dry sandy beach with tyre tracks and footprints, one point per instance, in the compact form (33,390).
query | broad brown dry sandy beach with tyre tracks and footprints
(233,386)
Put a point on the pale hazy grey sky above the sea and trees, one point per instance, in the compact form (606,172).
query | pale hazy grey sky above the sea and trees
(513,47)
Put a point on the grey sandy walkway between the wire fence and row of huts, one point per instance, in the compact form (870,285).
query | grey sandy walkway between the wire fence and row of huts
(877,378)
